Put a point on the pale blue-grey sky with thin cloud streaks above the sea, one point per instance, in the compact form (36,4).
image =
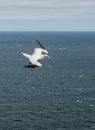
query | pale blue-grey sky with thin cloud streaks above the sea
(47,15)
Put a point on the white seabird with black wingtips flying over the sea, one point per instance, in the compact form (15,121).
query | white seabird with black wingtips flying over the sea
(38,55)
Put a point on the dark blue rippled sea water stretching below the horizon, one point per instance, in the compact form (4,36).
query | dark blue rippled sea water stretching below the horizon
(58,96)
